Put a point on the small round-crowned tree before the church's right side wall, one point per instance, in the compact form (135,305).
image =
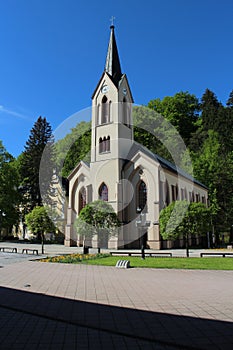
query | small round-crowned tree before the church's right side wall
(182,219)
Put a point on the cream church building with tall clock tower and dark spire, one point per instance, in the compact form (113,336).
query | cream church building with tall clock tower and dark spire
(136,182)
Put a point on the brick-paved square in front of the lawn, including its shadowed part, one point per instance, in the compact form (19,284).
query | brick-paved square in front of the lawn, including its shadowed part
(61,306)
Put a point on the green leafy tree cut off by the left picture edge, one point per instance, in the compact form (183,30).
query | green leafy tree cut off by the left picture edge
(9,196)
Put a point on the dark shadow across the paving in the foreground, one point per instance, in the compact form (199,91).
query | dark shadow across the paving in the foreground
(95,324)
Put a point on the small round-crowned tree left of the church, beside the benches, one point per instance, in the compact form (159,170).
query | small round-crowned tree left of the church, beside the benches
(39,222)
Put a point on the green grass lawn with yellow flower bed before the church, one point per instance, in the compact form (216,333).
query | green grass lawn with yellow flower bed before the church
(209,263)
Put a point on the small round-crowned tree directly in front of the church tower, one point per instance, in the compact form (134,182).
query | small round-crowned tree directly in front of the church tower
(97,218)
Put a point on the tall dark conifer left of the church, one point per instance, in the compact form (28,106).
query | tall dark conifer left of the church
(40,137)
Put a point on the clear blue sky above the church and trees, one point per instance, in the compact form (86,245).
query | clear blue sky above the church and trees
(53,54)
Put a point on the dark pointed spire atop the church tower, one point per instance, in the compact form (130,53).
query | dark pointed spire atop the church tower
(112,65)
